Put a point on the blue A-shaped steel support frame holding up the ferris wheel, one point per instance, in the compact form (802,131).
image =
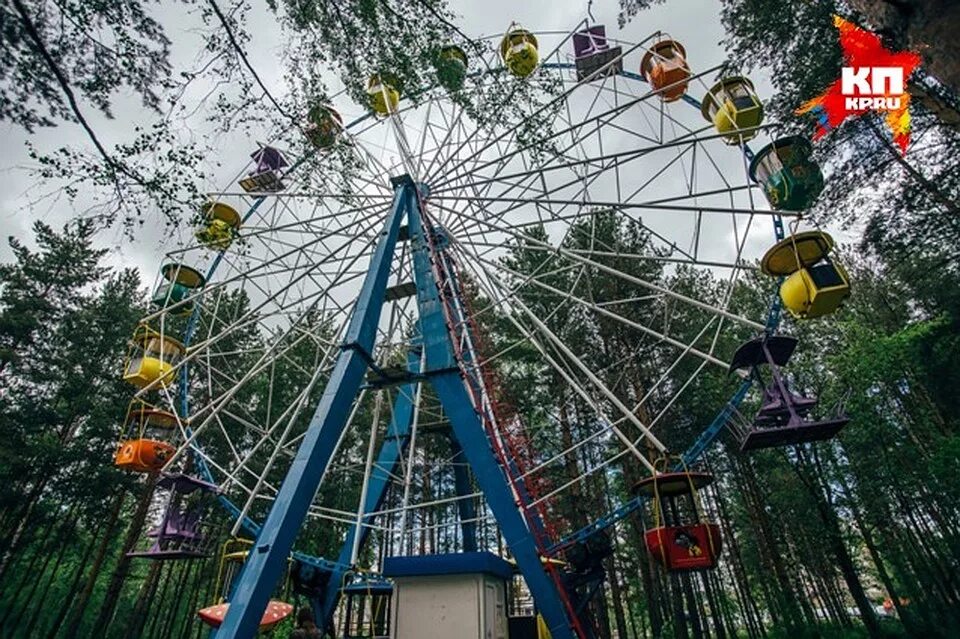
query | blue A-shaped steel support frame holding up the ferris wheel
(276,537)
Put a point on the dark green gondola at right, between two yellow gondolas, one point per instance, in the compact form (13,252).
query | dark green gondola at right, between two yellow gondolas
(790,178)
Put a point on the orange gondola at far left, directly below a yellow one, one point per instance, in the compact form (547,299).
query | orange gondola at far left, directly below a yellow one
(146,443)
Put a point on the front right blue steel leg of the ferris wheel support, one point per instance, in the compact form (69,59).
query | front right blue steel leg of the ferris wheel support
(446,379)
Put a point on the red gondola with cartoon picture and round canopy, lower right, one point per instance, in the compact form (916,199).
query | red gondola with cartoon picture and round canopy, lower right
(681,539)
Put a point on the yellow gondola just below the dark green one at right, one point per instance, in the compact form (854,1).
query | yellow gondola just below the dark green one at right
(815,284)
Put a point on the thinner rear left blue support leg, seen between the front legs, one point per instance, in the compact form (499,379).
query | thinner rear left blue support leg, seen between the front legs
(398,436)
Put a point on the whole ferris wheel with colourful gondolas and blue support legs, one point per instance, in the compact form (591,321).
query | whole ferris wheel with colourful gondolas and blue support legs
(338,355)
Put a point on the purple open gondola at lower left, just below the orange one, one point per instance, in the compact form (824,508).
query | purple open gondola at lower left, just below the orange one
(180,531)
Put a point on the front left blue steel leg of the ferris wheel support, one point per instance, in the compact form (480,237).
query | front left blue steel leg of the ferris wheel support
(268,557)
